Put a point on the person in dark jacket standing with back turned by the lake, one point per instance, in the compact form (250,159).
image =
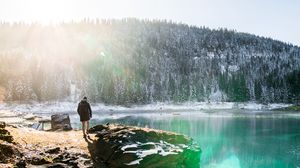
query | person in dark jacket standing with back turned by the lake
(85,112)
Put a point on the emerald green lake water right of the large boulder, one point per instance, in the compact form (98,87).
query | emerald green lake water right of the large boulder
(227,139)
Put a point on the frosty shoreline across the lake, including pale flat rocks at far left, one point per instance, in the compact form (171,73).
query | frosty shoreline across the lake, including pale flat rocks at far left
(29,115)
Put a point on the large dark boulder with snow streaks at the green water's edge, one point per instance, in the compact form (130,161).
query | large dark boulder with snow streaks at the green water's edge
(126,146)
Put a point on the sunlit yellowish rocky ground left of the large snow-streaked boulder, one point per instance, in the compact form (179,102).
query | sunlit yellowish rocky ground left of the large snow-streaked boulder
(25,147)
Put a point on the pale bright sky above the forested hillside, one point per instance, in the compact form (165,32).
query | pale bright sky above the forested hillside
(278,19)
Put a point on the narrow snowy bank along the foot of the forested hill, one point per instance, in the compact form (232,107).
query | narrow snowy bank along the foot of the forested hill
(59,107)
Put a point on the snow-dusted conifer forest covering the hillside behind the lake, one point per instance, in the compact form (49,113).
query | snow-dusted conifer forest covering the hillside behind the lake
(140,61)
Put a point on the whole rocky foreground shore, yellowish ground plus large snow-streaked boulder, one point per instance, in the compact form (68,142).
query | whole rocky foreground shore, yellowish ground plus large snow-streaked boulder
(107,146)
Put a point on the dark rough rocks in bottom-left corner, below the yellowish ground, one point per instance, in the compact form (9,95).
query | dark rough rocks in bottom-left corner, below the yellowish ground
(31,155)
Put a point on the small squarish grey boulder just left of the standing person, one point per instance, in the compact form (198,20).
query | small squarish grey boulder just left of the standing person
(60,122)
